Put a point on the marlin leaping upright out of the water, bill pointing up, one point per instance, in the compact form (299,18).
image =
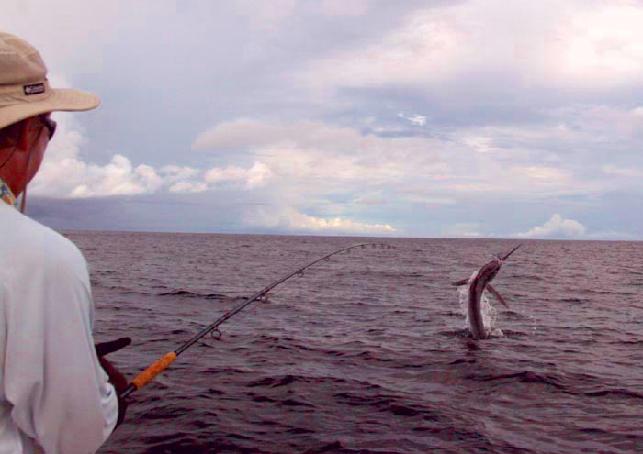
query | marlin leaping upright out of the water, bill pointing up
(477,285)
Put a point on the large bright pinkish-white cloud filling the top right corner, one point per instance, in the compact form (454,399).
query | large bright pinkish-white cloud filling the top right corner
(592,44)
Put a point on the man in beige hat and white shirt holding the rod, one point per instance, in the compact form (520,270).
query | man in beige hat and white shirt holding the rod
(54,394)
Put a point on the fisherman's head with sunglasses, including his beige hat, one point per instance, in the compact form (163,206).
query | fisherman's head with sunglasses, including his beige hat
(26,103)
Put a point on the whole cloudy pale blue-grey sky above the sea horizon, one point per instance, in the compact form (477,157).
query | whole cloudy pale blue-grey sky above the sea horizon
(472,118)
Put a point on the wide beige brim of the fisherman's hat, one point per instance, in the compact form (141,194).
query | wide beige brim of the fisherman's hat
(60,99)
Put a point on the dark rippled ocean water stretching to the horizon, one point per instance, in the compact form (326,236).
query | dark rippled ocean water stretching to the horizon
(369,352)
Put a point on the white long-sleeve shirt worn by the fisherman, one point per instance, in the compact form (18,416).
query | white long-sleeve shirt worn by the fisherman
(54,395)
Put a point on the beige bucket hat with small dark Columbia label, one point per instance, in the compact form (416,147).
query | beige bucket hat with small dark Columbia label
(24,89)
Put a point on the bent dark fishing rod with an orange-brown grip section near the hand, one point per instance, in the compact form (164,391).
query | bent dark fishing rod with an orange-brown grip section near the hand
(164,362)
